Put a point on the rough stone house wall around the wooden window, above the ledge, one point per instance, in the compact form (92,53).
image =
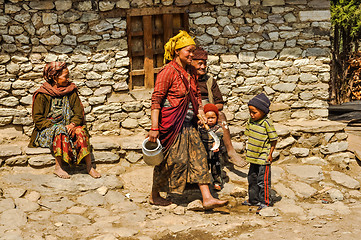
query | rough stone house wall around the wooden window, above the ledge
(281,47)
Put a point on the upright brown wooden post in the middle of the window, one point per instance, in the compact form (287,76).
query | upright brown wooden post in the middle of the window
(148,52)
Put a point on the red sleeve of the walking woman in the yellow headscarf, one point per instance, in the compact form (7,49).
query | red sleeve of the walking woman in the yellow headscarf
(162,84)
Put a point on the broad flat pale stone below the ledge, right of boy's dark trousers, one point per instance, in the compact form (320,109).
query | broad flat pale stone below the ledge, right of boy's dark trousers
(306,173)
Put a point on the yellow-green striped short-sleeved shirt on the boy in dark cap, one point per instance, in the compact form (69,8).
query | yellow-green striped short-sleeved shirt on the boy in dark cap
(260,135)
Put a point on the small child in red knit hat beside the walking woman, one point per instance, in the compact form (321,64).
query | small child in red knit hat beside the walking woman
(216,157)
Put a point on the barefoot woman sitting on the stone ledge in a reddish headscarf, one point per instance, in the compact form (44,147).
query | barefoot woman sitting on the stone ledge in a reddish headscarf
(59,120)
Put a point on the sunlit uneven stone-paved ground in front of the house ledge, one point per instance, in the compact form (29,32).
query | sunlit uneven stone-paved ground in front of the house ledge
(311,201)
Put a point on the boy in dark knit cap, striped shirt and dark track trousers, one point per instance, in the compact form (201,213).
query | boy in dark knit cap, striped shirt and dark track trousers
(262,139)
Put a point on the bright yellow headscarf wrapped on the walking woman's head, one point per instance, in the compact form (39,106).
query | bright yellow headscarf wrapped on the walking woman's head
(182,39)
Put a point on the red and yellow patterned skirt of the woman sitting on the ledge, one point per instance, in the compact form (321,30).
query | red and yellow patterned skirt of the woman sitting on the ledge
(71,149)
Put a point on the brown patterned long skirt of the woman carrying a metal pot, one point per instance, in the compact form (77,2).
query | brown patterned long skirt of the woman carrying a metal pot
(184,162)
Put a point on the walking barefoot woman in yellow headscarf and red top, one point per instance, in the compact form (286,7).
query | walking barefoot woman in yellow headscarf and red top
(175,103)
